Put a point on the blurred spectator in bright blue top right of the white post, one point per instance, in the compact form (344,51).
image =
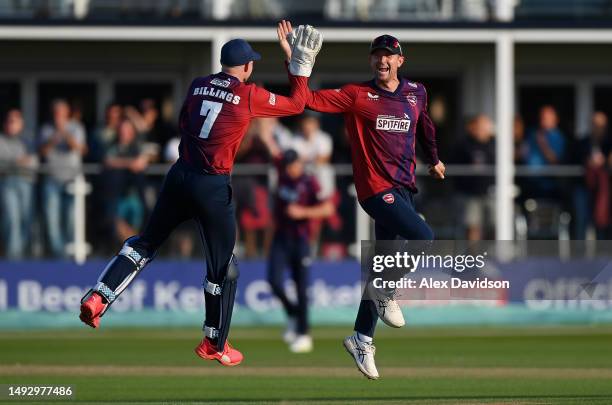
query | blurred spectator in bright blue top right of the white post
(546,146)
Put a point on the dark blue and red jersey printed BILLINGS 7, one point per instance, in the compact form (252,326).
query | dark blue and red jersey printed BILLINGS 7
(217,112)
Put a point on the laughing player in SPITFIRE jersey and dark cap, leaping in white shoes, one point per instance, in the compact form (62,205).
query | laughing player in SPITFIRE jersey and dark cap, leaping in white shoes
(384,118)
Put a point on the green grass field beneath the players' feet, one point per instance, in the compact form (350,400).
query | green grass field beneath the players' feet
(566,365)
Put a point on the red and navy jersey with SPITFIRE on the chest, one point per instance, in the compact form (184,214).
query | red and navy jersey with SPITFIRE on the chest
(383,127)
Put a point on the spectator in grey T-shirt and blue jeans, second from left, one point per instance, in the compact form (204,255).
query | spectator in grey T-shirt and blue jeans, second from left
(62,146)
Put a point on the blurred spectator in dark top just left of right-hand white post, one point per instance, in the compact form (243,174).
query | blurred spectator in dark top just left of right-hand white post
(476,149)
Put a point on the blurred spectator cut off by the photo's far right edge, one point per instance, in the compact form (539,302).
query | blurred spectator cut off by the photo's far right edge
(595,153)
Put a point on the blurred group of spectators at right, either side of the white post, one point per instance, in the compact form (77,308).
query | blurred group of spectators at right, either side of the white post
(585,198)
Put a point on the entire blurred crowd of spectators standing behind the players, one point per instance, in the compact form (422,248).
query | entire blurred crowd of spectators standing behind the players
(38,169)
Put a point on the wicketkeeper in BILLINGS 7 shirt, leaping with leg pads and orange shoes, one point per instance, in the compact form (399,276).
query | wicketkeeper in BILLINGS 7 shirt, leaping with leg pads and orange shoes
(213,120)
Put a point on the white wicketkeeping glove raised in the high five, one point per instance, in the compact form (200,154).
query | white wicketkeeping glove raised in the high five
(306,42)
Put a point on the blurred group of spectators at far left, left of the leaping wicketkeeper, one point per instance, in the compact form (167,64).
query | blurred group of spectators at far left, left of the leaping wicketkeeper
(38,171)
